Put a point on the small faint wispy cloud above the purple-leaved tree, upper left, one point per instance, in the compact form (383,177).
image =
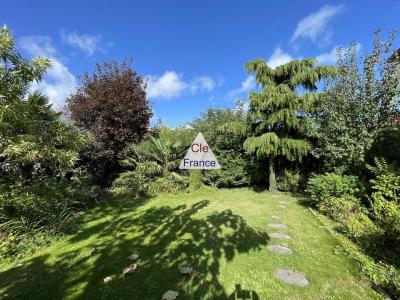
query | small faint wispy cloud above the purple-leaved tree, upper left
(87,43)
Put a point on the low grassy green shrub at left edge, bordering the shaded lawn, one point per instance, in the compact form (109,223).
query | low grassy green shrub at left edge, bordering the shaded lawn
(32,214)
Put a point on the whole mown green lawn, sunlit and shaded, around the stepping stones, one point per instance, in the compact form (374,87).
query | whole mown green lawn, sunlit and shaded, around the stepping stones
(222,234)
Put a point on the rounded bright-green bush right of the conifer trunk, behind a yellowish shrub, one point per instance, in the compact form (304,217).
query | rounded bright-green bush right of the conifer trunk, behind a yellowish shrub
(321,187)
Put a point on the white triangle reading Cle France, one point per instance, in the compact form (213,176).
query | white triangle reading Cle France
(199,156)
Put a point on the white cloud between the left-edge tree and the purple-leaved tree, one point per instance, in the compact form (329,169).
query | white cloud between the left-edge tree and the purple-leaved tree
(58,82)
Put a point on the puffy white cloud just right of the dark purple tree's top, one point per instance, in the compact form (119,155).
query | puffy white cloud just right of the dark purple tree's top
(171,85)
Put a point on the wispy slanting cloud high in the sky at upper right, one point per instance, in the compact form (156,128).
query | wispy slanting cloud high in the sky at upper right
(315,26)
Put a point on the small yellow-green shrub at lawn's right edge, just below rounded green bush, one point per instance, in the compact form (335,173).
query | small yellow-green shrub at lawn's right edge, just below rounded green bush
(338,209)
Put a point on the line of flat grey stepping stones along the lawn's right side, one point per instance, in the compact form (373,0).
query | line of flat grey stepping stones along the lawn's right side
(286,276)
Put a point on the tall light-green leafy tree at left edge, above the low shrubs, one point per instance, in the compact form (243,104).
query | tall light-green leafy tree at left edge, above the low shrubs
(33,138)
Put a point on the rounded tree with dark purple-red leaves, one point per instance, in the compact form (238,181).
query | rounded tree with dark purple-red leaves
(112,105)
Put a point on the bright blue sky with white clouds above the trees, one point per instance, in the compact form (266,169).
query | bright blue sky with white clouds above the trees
(191,52)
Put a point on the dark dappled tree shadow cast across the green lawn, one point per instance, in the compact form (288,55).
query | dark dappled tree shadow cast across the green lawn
(165,238)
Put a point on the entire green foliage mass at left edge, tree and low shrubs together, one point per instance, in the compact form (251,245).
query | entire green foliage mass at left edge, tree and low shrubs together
(40,192)
